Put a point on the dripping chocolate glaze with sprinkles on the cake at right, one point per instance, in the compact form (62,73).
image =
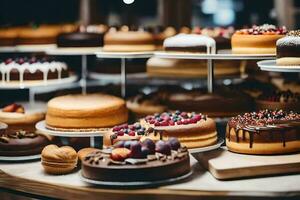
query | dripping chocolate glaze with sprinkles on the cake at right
(275,124)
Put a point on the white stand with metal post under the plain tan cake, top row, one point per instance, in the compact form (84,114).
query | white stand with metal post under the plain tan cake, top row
(123,56)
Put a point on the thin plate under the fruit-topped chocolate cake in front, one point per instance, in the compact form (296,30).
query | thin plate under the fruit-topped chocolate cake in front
(137,184)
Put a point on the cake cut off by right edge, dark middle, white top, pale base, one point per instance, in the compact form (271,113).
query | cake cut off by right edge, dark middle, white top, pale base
(288,49)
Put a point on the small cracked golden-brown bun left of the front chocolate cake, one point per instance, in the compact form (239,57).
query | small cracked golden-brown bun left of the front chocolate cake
(59,160)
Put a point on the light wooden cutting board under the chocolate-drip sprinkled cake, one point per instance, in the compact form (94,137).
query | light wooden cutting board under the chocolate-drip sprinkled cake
(224,164)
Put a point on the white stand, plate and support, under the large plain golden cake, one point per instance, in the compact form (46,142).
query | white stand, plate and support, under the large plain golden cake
(93,135)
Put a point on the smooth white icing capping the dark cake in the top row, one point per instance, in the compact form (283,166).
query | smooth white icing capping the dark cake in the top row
(191,40)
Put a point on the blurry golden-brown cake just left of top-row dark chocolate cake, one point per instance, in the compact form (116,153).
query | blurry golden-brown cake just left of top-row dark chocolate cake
(44,34)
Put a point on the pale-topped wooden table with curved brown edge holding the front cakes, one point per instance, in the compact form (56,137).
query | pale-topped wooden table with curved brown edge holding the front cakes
(30,178)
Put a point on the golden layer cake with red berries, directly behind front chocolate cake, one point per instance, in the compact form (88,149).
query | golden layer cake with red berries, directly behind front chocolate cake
(192,130)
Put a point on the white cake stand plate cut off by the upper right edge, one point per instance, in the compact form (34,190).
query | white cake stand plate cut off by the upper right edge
(270,65)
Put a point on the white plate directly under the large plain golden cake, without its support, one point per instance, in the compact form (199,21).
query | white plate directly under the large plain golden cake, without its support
(42,127)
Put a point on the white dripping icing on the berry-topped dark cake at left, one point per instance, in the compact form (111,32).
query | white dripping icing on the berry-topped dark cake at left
(45,68)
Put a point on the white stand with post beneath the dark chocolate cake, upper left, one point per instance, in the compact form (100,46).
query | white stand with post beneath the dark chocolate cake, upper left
(77,51)
